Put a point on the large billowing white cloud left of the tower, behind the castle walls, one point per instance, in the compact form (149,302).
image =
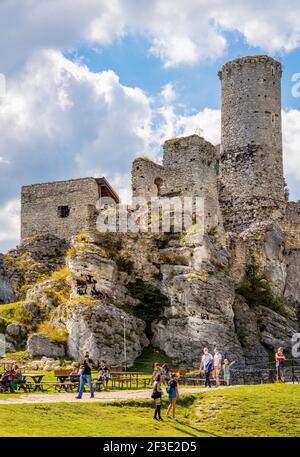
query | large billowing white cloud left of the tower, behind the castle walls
(60,120)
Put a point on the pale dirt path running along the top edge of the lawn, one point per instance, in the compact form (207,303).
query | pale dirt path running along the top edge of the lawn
(17,399)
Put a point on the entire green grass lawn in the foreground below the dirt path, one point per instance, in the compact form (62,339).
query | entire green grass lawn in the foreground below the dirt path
(263,410)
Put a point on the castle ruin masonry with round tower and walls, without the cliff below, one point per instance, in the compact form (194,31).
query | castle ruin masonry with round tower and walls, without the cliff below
(241,180)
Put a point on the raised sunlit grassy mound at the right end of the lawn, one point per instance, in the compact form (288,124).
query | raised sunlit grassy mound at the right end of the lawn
(262,410)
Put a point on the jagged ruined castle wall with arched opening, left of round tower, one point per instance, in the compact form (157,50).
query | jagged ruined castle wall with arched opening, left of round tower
(188,171)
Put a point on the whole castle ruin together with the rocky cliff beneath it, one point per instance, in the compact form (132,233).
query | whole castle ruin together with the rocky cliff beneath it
(235,285)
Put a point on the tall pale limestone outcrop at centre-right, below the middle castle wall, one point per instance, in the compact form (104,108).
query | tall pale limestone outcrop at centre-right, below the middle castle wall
(201,304)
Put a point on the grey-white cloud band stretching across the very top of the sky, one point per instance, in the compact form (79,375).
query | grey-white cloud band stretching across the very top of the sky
(179,33)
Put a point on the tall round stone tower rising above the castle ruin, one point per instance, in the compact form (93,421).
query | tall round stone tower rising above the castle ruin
(252,182)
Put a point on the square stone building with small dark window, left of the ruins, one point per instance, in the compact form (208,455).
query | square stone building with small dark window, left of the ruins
(62,208)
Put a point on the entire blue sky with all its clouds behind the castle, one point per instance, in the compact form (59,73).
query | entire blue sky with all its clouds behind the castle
(92,85)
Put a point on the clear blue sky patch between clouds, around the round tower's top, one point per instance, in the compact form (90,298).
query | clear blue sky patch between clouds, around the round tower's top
(197,86)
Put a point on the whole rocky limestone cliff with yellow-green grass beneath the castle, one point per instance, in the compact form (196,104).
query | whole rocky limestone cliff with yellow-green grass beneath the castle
(176,293)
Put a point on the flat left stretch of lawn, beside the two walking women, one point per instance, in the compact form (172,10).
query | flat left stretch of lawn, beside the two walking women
(128,418)
